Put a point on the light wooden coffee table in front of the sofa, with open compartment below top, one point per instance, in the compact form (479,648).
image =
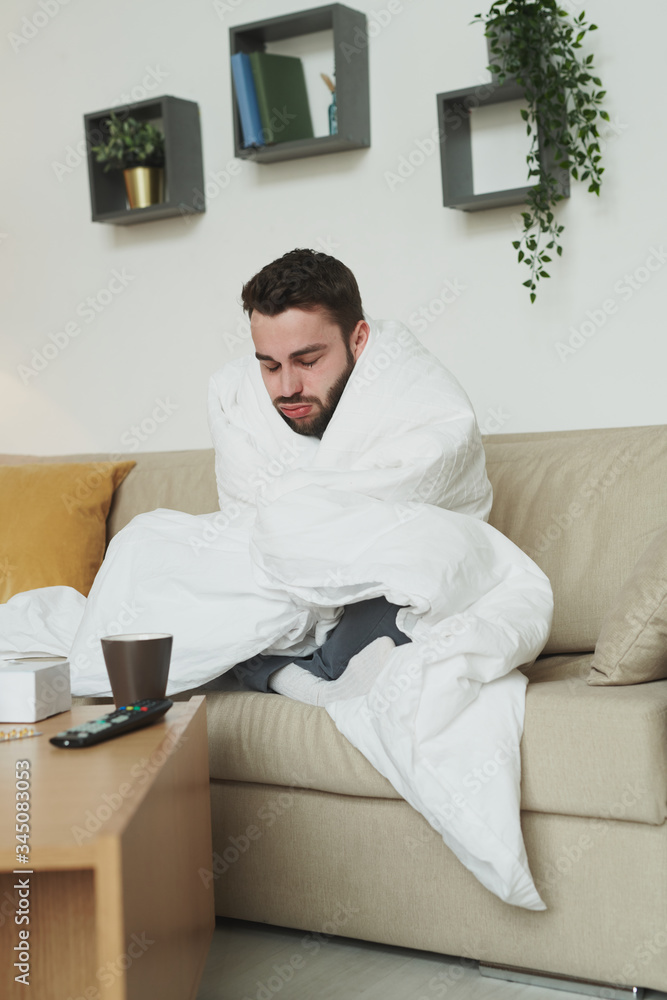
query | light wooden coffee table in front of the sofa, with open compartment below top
(119,832)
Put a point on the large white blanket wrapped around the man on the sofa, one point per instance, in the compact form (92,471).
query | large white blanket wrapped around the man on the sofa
(392,501)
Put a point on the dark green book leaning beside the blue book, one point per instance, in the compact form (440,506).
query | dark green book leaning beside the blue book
(282,97)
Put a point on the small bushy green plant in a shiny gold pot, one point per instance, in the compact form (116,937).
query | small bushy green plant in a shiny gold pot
(136,148)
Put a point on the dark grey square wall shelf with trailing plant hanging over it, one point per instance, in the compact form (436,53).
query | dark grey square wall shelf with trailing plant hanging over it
(454,110)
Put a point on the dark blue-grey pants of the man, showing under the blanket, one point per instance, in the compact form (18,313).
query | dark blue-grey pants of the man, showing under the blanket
(360,624)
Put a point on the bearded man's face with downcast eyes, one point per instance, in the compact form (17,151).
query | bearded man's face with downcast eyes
(305,364)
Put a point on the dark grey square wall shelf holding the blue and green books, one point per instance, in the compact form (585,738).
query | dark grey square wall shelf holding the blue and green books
(351,68)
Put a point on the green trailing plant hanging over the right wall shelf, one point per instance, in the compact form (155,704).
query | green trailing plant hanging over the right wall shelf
(537,43)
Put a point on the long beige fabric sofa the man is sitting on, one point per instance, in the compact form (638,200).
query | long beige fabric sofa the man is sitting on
(307,834)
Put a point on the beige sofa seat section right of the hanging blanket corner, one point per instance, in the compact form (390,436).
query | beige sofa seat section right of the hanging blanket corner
(593,751)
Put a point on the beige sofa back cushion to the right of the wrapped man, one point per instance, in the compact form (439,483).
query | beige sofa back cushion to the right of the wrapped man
(583,505)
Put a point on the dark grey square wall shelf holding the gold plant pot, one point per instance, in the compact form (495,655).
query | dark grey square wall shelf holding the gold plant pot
(184,171)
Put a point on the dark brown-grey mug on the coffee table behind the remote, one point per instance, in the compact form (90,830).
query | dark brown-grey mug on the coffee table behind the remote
(137,665)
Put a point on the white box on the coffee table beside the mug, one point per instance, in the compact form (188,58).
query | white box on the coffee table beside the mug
(32,689)
